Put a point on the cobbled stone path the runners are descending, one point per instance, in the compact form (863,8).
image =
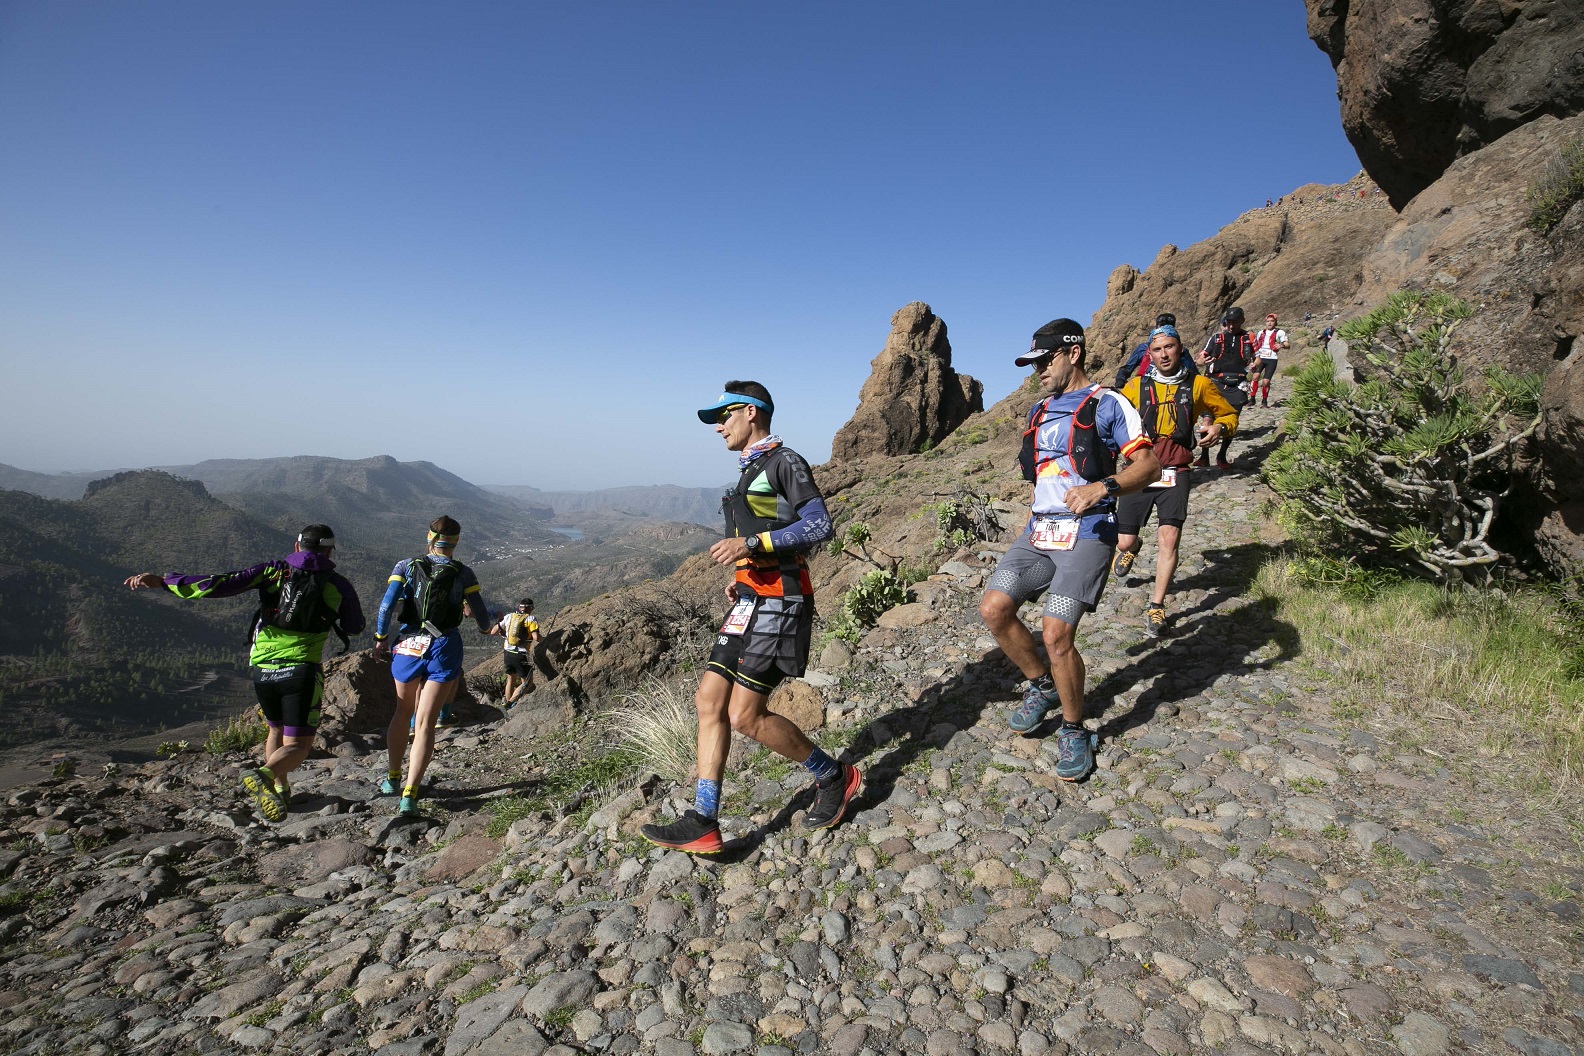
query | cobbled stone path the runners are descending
(1246,873)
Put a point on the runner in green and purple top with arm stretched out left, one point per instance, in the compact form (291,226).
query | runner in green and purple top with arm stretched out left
(302,601)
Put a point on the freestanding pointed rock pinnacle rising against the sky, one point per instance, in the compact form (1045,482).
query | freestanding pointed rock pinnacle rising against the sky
(913,398)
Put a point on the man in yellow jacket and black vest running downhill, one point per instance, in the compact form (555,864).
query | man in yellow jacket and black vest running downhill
(1171,403)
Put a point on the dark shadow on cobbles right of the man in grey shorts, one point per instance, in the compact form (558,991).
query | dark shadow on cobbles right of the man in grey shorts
(1224,642)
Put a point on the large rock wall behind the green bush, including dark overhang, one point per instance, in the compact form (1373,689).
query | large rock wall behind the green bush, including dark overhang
(1456,107)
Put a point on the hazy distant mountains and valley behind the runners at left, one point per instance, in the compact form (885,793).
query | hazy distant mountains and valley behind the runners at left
(80,655)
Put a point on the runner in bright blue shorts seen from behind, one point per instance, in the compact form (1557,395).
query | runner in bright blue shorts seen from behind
(427,598)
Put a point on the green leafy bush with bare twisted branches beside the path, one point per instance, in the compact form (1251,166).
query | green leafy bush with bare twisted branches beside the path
(1411,468)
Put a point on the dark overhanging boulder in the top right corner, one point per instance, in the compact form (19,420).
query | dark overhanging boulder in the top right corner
(1428,82)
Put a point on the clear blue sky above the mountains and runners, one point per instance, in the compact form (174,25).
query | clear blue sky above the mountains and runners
(525,240)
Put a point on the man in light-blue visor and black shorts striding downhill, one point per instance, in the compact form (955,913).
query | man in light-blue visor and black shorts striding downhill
(774,517)
